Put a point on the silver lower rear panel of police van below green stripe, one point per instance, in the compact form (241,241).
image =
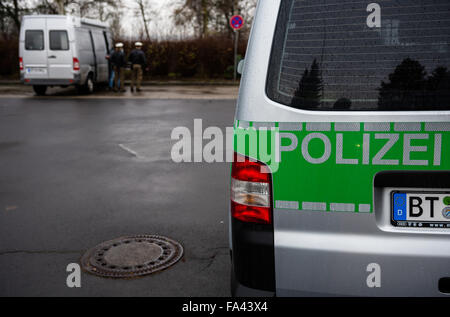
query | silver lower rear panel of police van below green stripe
(321,262)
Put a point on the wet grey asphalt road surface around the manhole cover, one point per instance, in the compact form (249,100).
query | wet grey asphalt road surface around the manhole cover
(67,184)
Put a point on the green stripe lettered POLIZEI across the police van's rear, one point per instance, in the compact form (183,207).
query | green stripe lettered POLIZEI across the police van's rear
(332,165)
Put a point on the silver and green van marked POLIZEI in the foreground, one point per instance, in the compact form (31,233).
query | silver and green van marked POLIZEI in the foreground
(340,183)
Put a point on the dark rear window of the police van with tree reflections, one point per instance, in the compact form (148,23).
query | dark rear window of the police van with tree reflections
(361,55)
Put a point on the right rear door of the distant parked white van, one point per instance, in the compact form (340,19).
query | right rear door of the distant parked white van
(60,57)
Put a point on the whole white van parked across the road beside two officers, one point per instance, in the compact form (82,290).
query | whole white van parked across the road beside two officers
(59,50)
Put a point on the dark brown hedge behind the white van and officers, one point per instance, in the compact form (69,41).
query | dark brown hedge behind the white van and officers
(207,58)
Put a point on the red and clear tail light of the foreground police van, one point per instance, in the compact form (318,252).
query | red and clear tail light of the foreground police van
(251,191)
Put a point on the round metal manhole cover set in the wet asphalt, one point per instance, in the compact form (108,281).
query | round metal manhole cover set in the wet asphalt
(132,256)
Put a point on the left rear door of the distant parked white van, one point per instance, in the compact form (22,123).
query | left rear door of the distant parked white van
(34,51)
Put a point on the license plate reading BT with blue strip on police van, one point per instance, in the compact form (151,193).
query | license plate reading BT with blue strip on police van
(421,209)
